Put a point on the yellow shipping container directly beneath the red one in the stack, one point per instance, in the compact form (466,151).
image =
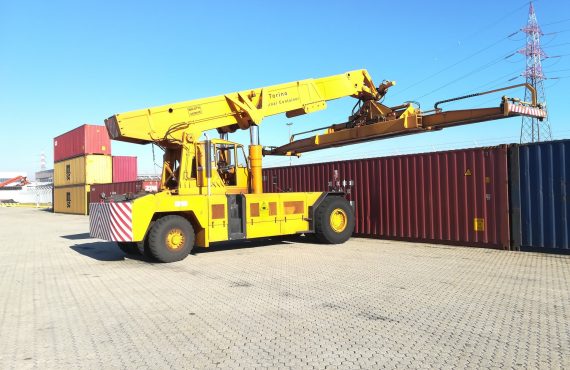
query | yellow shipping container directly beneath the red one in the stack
(89,169)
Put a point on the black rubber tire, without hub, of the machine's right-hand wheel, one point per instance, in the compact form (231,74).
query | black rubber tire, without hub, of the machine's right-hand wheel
(323,230)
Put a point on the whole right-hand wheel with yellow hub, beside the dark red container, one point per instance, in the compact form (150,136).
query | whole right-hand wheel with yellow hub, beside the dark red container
(334,221)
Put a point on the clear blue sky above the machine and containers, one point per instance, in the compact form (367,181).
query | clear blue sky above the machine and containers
(65,63)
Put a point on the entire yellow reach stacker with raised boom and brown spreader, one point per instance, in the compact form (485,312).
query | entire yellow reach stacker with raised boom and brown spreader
(211,190)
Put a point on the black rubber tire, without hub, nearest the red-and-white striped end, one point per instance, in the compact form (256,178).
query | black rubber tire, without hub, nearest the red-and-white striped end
(157,238)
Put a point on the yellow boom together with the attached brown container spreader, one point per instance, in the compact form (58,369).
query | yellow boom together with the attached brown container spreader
(166,125)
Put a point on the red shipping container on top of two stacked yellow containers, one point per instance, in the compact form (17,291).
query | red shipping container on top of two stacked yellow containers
(86,139)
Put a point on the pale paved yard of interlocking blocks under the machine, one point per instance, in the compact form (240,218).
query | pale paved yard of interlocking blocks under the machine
(68,301)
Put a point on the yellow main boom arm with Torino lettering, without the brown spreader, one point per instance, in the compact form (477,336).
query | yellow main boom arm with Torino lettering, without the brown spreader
(239,110)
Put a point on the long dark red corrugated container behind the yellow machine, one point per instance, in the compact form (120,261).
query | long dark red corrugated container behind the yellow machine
(455,197)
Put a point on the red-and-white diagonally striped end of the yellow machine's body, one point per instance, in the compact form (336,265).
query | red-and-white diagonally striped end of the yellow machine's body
(111,221)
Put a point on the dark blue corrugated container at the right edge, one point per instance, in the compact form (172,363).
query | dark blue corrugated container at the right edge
(540,185)
